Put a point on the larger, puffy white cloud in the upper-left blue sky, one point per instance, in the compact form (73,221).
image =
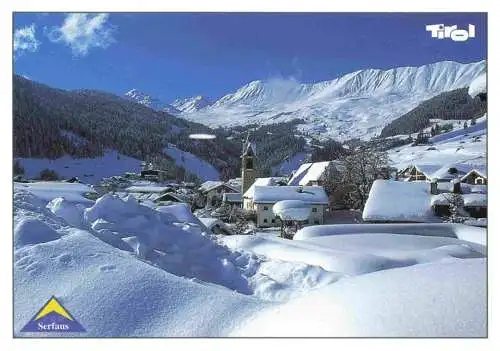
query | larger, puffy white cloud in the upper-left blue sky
(83,31)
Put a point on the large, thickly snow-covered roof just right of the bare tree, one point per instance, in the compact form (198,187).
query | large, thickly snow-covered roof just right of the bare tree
(391,200)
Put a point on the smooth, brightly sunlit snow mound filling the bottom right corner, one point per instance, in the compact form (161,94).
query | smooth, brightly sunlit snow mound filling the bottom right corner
(403,302)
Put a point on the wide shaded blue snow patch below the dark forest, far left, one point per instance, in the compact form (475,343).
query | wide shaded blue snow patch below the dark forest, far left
(88,170)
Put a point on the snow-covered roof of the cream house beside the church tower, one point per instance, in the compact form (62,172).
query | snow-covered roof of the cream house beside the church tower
(272,194)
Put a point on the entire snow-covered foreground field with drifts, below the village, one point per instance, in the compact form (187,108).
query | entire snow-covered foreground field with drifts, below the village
(125,269)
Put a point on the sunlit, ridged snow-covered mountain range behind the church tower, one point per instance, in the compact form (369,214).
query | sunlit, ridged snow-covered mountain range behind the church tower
(356,105)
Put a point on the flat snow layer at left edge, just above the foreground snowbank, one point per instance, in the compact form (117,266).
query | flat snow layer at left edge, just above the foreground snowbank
(50,190)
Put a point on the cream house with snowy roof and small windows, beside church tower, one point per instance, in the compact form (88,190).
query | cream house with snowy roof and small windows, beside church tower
(264,197)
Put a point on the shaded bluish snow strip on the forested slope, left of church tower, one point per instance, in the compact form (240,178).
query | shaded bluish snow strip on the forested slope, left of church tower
(192,164)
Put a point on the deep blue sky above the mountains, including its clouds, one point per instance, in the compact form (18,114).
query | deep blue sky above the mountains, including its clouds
(185,54)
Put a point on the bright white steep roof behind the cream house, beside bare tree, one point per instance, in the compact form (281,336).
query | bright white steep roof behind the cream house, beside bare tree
(313,173)
